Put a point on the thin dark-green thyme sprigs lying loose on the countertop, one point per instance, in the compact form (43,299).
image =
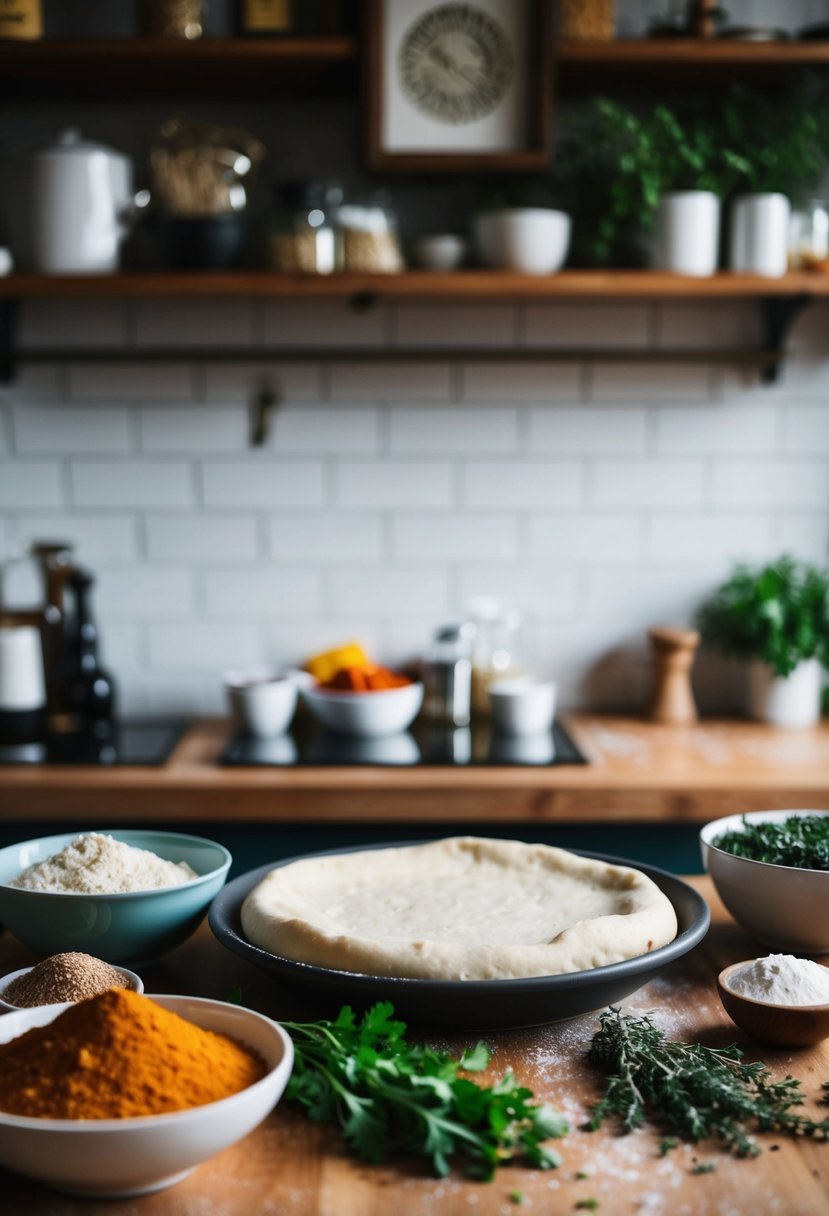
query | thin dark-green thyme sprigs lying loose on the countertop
(692,1091)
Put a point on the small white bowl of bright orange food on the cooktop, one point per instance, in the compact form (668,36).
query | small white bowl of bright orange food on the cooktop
(366,702)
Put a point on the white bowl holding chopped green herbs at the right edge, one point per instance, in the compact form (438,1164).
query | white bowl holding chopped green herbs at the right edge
(785,908)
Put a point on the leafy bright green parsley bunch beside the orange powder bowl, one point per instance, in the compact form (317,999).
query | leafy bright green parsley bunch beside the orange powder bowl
(393,1099)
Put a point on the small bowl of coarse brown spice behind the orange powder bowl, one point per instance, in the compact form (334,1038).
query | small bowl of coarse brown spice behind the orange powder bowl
(64,978)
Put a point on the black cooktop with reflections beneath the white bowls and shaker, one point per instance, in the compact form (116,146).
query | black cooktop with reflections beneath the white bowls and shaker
(308,745)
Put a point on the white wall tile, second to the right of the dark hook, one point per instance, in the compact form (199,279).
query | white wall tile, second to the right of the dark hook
(448,430)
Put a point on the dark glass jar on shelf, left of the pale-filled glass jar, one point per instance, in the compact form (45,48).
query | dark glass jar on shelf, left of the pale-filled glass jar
(303,235)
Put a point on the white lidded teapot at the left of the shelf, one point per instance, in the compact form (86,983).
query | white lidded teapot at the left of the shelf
(77,207)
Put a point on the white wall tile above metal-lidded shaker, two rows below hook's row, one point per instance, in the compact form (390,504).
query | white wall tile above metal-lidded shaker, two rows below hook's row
(455,538)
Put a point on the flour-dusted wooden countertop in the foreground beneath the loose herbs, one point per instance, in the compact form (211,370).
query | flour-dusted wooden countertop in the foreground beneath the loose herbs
(292,1168)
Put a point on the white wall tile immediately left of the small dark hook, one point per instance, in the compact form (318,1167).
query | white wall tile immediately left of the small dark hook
(194,429)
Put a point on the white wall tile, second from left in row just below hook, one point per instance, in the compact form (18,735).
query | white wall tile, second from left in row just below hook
(133,485)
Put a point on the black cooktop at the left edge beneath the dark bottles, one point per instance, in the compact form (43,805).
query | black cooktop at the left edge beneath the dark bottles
(133,742)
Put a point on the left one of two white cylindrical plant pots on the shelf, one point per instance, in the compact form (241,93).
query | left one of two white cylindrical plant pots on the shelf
(689,233)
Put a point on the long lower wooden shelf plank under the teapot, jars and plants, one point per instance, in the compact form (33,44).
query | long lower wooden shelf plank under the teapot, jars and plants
(414,285)
